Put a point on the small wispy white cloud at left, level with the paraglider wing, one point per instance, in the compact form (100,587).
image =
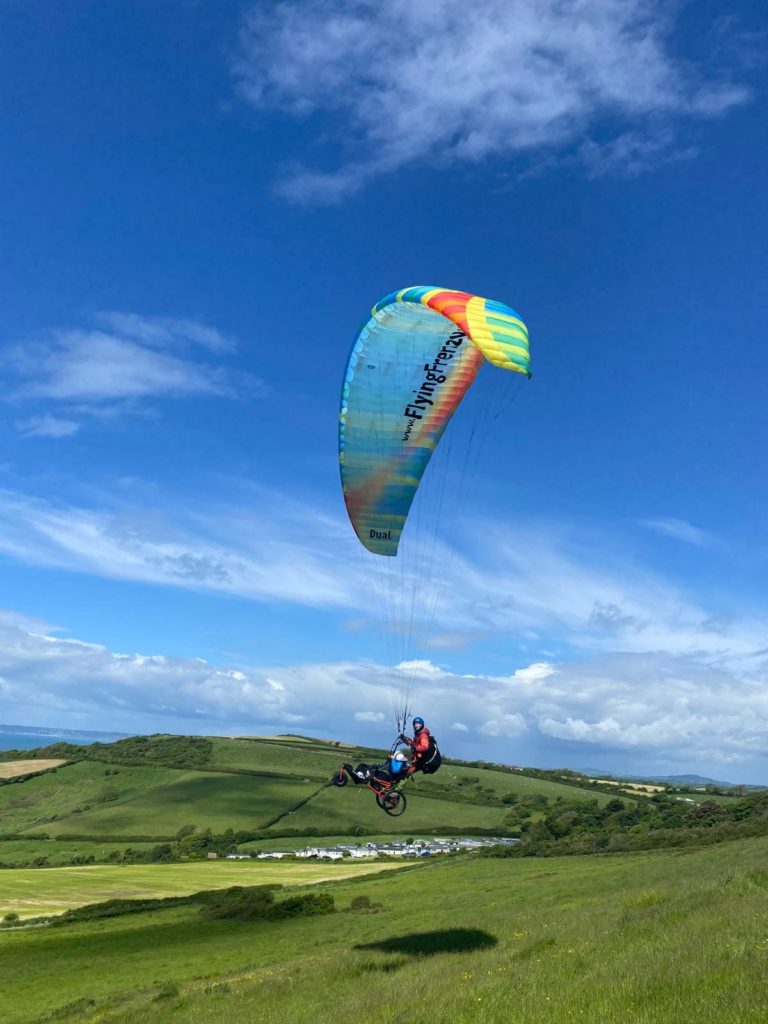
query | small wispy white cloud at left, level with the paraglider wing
(83,374)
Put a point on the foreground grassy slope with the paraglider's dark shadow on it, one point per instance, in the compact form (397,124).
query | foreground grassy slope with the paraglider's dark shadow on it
(678,937)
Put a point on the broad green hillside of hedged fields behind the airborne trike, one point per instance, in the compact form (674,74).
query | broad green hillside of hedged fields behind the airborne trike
(150,788)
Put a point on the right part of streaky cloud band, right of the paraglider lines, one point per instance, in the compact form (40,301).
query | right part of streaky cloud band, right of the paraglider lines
(594,599)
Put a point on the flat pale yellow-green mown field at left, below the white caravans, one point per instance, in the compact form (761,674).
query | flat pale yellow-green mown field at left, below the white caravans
(33,892)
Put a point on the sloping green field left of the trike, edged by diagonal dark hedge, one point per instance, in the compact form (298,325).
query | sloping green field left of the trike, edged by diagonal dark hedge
(208,800)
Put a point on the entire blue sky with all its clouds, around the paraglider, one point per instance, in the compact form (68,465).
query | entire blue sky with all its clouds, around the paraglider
(202,201)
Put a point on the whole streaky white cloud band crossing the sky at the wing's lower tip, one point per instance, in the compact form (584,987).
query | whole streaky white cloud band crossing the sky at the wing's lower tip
(545,589)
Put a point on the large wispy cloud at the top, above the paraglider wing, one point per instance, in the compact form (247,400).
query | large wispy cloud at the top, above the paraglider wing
(416,81)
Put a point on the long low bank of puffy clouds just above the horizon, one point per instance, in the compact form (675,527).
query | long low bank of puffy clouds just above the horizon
(657,708)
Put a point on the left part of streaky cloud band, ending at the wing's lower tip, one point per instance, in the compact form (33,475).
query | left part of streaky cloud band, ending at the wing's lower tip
(214,548)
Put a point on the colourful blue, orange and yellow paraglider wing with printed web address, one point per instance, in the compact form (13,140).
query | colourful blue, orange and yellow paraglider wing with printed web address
(409,370)
